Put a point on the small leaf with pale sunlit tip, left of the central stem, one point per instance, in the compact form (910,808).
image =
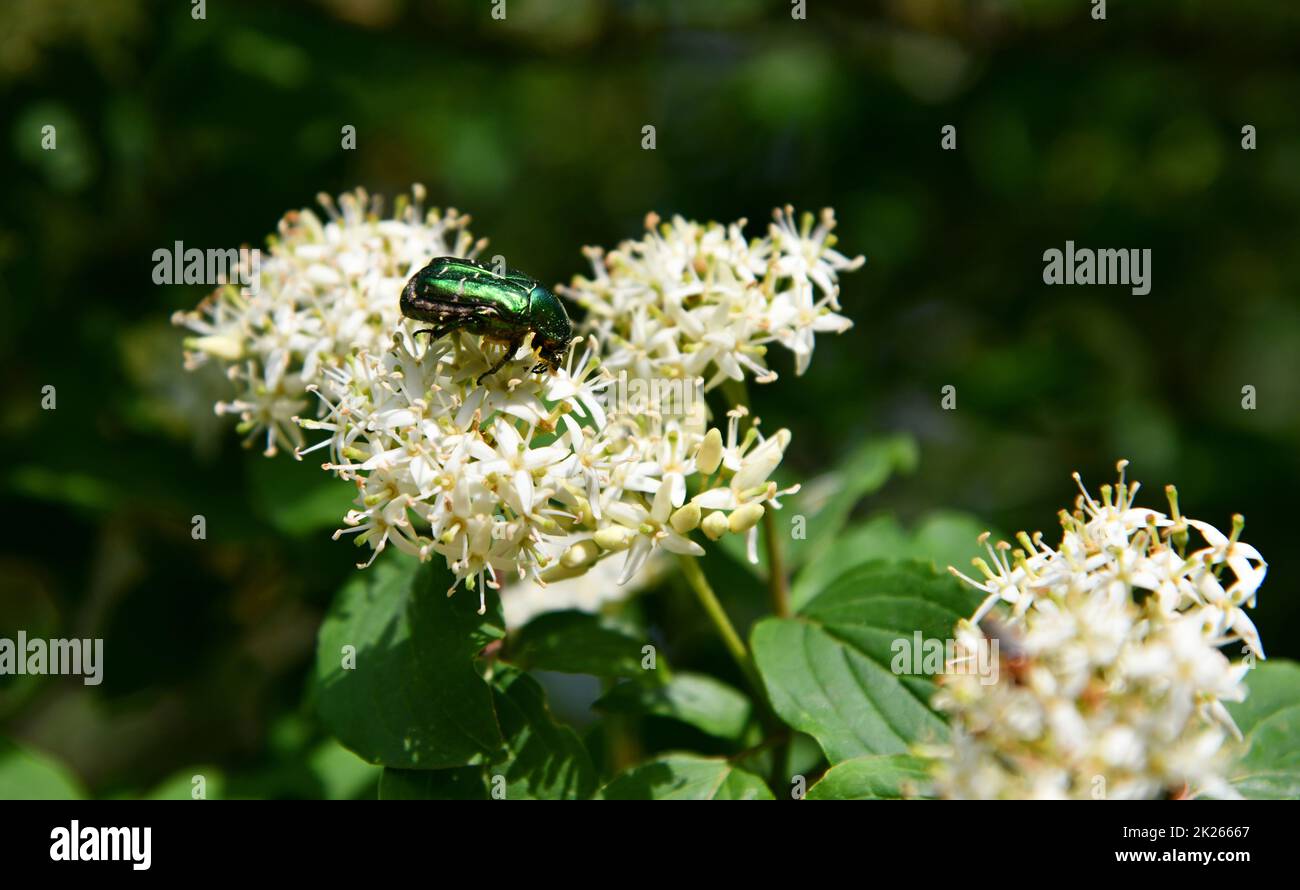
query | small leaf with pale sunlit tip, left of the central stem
(699,701)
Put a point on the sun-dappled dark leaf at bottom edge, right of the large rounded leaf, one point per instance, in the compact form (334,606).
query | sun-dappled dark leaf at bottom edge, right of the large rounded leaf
(545,761)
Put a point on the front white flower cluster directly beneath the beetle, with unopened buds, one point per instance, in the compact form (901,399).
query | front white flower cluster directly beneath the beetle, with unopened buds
(495,477)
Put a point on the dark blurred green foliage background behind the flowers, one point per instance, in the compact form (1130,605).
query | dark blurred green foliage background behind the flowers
(1124,133)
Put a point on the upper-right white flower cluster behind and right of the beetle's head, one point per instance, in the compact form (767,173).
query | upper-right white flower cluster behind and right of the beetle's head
(695,301)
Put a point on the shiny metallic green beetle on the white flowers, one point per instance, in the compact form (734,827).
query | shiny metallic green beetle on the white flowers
(456,294)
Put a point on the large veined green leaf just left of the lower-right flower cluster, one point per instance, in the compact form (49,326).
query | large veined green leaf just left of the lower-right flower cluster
(829,670)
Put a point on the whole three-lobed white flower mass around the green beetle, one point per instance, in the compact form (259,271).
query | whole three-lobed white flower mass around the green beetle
(535,476)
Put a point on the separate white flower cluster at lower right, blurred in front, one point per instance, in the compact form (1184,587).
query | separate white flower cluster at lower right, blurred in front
(1113,680)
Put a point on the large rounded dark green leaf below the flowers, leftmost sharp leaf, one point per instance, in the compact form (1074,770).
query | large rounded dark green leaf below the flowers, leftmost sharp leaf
(414,700)
